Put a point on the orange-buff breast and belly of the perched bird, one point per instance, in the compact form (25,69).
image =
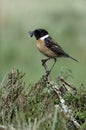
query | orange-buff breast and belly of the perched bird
(42,48)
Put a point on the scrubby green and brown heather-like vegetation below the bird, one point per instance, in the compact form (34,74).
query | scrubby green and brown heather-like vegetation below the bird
(35,107)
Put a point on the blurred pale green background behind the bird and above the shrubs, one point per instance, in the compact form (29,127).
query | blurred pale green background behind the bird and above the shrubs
(66,22)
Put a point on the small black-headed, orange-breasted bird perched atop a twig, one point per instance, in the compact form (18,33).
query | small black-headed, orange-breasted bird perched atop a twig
(48,46)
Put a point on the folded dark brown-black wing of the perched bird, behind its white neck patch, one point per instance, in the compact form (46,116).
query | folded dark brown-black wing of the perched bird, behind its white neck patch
(57,49)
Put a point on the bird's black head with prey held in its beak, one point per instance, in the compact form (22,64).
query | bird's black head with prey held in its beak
(38,33)
